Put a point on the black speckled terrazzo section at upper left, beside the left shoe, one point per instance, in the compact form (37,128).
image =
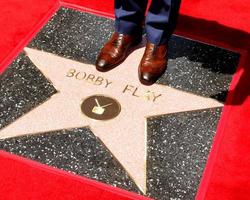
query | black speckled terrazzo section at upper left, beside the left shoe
(73,34)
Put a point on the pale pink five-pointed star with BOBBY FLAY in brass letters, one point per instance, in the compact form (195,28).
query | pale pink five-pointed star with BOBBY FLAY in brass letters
(125,134)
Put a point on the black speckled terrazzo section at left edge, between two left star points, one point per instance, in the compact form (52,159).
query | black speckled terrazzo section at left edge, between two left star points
(22,87)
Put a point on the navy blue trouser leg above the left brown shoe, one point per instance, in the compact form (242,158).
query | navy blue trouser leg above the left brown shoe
(129,15)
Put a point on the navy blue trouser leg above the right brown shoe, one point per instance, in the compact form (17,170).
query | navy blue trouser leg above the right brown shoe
(161,20)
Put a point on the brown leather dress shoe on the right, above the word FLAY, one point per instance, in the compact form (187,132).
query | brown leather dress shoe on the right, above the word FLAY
(153,63)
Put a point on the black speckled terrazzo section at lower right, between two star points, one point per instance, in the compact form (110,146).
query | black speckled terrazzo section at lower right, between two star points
(178,145)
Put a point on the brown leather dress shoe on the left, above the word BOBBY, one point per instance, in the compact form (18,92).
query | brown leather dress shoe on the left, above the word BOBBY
(116,50)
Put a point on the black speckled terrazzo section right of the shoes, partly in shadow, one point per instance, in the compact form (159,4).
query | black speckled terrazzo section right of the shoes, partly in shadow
(199,68)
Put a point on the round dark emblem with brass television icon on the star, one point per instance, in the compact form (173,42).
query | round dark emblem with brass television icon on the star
(100,107)
